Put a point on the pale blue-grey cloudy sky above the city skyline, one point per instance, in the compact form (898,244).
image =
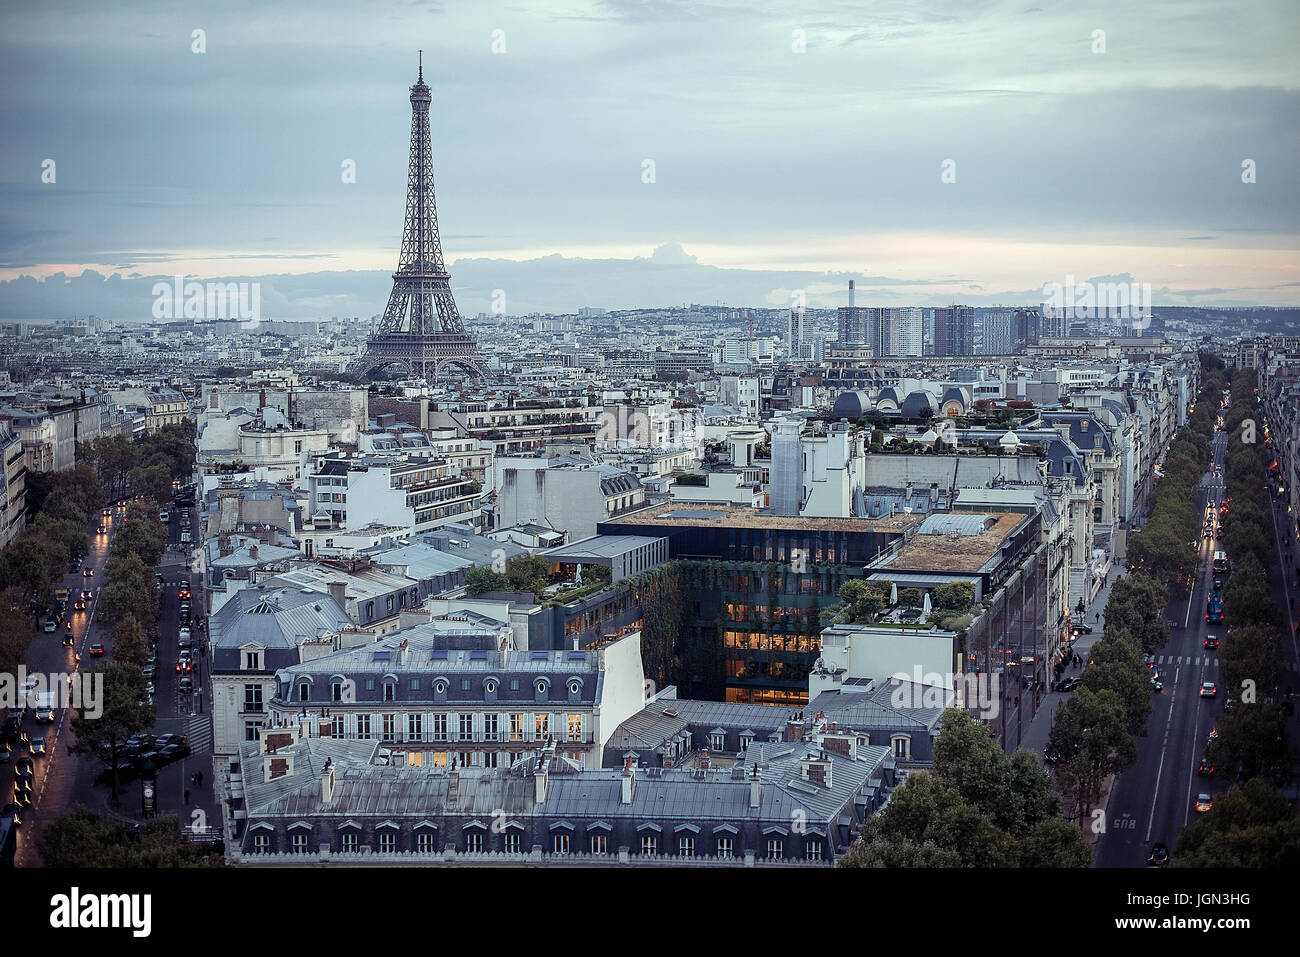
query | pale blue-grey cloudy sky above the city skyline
(794,146)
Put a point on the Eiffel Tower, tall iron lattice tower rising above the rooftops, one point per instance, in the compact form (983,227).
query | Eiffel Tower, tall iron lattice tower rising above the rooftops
(422,328)
